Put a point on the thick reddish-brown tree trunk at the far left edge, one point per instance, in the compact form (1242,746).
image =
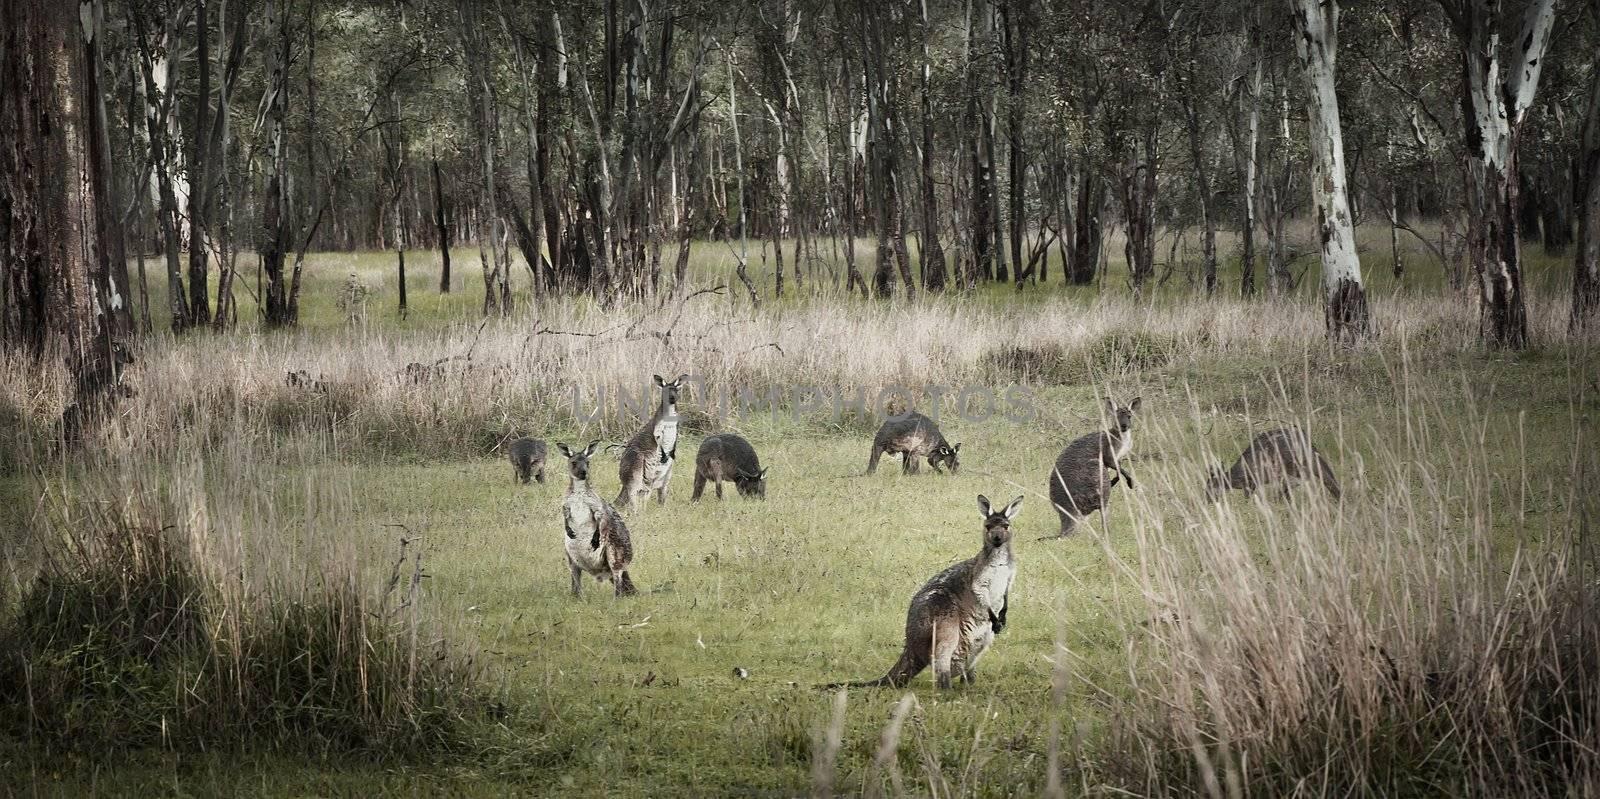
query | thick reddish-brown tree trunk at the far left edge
(57,281)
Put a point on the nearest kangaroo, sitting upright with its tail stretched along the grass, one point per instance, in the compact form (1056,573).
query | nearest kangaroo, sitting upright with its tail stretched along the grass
(956,616)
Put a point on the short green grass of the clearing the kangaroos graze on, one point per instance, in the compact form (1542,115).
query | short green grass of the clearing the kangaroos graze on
(638,697)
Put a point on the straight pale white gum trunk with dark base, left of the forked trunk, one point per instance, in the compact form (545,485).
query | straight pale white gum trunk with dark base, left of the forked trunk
(1316,44)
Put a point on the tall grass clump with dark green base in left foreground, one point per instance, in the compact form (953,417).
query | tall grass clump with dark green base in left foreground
(202,603)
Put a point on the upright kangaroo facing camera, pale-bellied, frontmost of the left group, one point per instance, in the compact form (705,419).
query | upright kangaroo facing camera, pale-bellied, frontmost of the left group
(598,542)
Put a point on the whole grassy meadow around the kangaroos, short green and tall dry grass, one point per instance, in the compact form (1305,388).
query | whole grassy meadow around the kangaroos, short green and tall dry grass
(1434,632)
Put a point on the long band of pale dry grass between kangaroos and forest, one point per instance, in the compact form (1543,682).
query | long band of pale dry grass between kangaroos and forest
(545,371)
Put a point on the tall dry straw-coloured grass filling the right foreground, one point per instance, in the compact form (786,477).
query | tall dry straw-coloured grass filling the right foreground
(1434,633)
